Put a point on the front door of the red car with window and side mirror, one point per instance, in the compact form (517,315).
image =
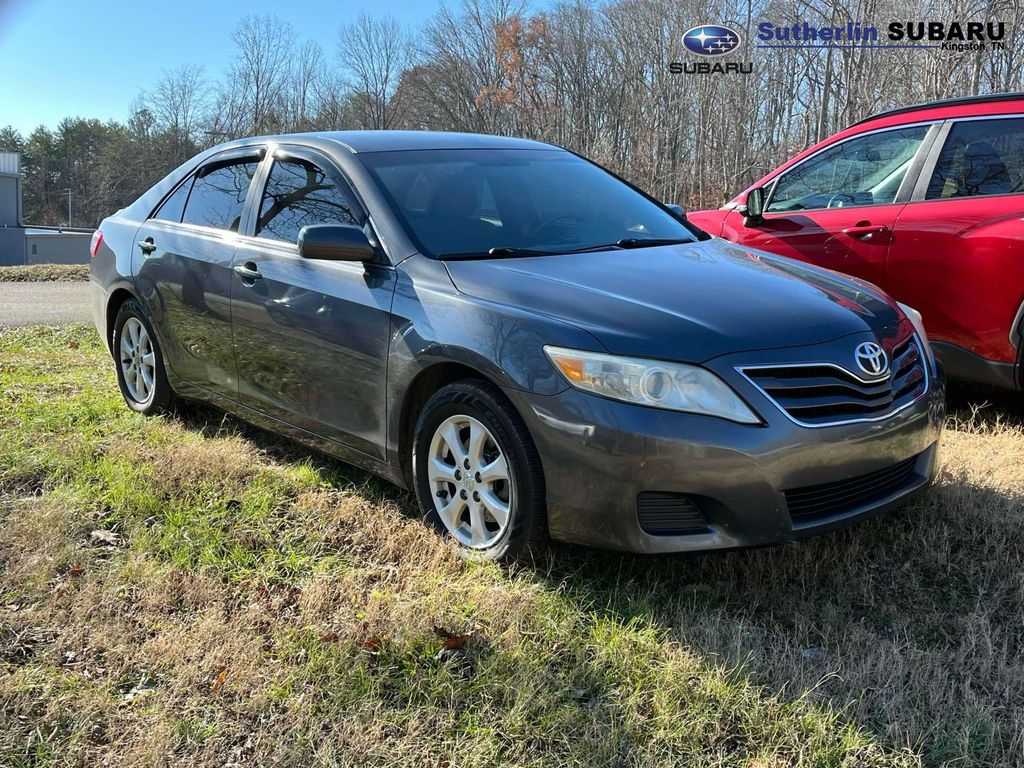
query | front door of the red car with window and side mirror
(838,208)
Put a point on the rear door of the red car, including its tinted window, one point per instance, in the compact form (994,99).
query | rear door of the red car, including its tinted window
(958,255)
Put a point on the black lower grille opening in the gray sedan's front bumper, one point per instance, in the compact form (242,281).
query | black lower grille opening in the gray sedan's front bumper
(815,502)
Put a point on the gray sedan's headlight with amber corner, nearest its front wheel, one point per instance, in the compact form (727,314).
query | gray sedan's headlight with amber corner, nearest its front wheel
(673,387)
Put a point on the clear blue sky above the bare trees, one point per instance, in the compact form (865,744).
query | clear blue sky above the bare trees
(66,58)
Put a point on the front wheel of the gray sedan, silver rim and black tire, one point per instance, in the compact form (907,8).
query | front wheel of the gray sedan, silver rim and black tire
(477,473)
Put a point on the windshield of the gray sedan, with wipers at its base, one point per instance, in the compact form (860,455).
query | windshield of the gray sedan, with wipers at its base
(522,202)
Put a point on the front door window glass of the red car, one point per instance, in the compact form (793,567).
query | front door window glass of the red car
(863,172)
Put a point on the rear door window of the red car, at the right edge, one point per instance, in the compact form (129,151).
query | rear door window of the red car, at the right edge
(982,157)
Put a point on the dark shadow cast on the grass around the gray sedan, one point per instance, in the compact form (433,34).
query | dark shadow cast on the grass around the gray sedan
(909,625)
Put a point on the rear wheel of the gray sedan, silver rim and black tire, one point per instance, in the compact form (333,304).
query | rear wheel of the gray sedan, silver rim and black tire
(140,363)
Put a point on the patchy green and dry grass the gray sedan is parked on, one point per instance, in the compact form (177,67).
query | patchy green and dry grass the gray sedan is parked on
(246,603)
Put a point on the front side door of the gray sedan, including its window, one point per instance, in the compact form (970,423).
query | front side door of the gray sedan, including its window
(311,336)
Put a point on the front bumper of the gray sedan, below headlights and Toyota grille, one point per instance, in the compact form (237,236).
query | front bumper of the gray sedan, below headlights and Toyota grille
(599,455)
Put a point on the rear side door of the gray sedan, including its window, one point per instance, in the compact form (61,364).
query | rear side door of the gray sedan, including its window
(183,268)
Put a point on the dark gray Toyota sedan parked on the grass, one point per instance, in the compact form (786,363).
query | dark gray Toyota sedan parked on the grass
(532,346)
